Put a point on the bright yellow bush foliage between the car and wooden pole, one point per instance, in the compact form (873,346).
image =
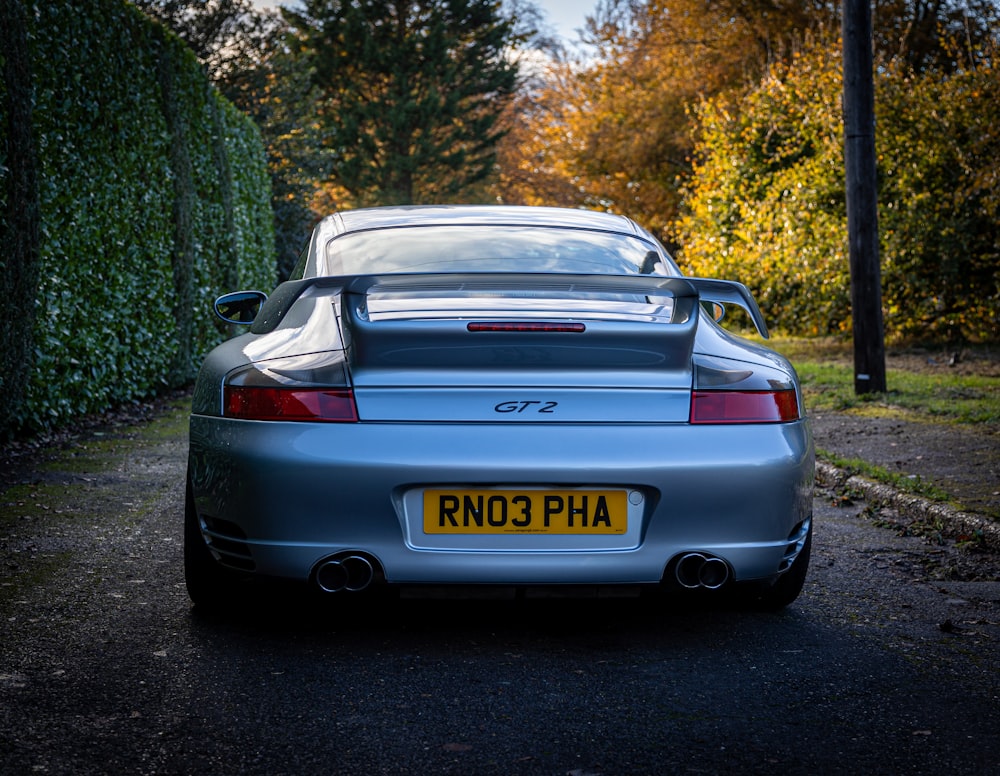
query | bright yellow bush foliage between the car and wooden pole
(765,202)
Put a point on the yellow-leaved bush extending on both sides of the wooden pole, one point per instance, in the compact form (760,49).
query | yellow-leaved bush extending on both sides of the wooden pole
(765,203)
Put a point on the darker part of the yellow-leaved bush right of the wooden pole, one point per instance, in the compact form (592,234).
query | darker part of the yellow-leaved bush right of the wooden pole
(938,142)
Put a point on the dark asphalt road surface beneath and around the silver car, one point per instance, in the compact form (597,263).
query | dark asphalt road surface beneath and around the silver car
(881,666)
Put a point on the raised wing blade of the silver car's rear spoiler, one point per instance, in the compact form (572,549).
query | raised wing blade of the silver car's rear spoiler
(687,292)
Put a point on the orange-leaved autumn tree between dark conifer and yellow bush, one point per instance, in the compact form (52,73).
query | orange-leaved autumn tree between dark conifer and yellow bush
(618,120)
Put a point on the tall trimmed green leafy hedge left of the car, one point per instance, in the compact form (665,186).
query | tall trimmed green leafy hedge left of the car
(153,198)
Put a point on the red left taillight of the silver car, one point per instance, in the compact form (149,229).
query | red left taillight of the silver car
(252,402)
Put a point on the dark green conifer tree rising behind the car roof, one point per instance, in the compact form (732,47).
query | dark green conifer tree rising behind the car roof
(412,93)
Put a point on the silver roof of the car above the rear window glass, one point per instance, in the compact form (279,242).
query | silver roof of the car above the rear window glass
(472,215)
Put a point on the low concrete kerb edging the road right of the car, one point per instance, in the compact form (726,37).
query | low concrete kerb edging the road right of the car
(910,508)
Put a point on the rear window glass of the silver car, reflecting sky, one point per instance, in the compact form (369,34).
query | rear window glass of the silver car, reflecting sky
(494,249)
